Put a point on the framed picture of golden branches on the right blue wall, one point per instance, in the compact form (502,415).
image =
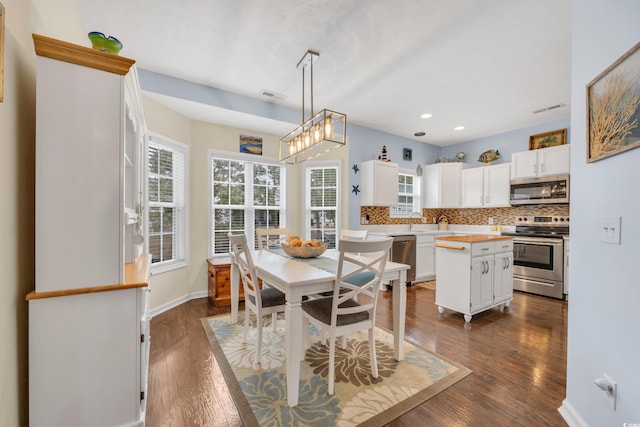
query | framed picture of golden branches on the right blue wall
(613,114)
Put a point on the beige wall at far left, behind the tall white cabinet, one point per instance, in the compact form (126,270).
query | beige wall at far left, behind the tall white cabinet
(17,186)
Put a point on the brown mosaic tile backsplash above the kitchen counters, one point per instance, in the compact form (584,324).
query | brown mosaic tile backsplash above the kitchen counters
(379,215)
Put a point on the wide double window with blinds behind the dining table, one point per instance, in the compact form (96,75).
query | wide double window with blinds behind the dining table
(245,195)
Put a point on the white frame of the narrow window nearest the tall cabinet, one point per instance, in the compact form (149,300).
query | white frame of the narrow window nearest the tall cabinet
(182,221)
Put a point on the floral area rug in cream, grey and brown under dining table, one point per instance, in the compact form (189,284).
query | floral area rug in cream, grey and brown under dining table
(259,390)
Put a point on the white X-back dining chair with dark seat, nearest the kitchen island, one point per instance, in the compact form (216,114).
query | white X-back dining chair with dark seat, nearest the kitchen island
(360,268)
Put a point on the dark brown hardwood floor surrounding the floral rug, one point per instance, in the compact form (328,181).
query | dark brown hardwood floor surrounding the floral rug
(518,358)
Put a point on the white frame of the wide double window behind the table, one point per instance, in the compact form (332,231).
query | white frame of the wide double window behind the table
(249,218)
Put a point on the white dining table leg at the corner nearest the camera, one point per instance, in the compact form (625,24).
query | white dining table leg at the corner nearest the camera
(293,320)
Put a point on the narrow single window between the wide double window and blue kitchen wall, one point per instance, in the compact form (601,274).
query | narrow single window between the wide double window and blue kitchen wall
(322,195)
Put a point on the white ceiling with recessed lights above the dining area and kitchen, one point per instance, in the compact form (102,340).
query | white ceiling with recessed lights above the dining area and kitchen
(486,65)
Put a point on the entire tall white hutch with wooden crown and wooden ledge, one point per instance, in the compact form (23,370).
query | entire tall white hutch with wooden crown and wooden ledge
(89,312)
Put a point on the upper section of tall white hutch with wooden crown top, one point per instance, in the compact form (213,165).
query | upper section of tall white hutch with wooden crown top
(90,152)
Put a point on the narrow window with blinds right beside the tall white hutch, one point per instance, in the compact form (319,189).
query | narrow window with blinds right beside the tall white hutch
(167,164)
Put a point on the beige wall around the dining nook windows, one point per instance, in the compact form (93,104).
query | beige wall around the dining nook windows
(170,287)
